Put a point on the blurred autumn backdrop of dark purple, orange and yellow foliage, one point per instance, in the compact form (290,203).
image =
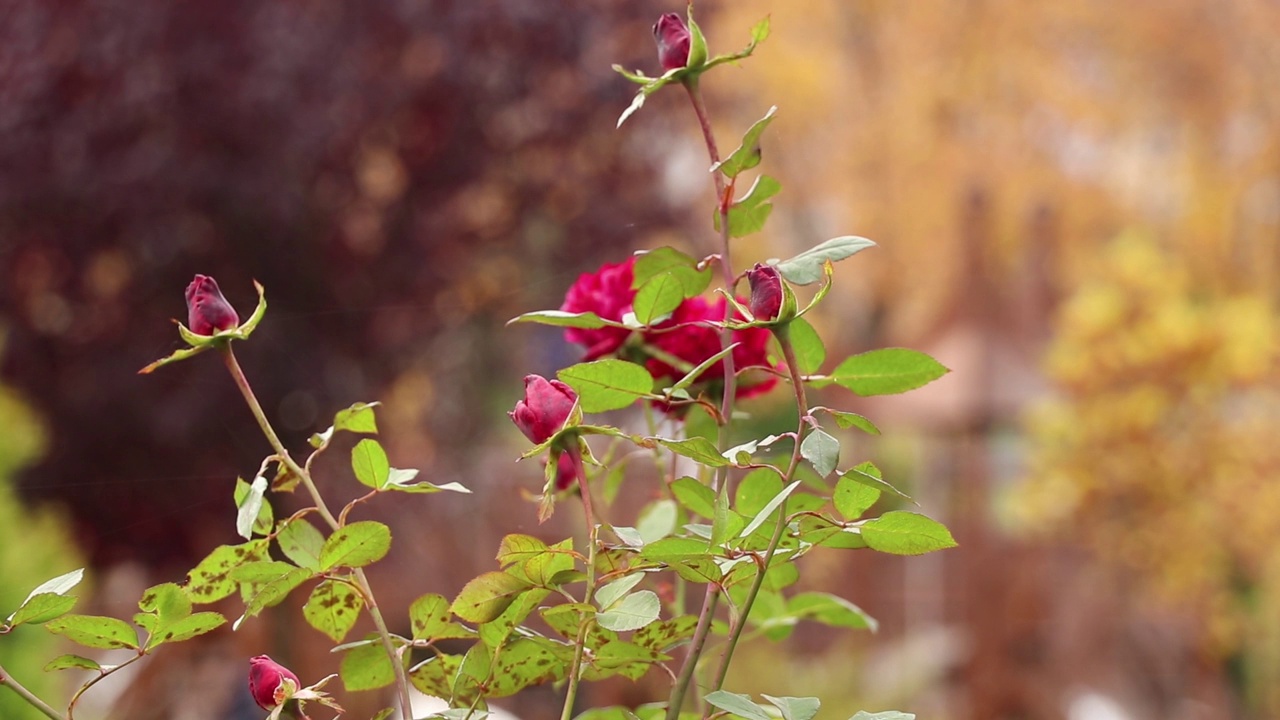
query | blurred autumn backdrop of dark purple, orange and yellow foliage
(1077,207)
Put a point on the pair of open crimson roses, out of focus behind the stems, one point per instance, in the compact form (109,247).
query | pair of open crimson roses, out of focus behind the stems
(689,335)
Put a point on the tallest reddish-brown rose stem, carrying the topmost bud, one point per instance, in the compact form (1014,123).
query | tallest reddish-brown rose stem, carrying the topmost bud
(723,202)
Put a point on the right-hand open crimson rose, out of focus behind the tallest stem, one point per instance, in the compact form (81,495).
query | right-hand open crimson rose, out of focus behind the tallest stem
(696,343)
